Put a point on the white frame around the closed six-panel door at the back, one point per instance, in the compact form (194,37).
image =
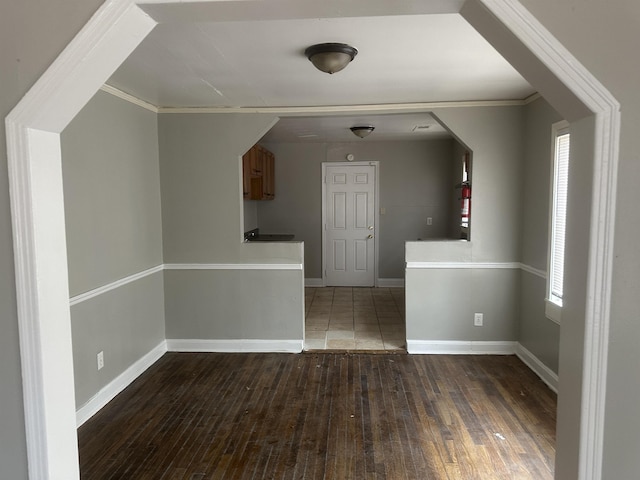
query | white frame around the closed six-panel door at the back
(376,206)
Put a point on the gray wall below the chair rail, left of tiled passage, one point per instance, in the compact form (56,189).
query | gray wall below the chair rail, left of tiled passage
(235,304)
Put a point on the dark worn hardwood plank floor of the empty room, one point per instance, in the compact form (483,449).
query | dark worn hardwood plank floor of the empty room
(197,416)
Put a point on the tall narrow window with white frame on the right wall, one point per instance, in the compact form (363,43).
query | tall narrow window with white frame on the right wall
(560,178)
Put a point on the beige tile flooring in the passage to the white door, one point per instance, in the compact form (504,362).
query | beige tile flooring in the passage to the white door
(346,318)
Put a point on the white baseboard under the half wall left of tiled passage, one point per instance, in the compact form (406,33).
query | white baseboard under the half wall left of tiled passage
(235,346)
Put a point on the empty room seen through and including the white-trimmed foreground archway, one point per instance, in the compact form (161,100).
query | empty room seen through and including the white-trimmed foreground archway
(277,239)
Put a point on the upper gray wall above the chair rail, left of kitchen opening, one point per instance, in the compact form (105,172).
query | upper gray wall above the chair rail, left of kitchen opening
(200,181)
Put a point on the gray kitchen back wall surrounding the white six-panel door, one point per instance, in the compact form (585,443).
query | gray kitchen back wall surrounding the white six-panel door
(415,183)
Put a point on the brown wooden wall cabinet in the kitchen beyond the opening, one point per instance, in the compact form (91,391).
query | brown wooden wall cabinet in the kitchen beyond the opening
(258,174)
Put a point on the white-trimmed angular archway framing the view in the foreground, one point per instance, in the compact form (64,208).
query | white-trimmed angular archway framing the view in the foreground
(33,129)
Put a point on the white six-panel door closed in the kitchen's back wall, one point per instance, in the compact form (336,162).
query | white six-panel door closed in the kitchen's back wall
(350,230)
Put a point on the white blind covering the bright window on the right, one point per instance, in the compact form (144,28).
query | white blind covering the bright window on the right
(559,218)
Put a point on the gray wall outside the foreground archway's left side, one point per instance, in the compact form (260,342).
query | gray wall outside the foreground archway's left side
(32,34)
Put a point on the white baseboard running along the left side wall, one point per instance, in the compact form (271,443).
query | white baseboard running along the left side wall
(122,381)
